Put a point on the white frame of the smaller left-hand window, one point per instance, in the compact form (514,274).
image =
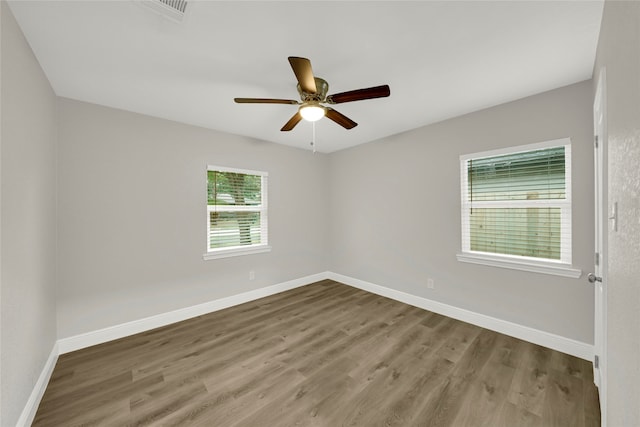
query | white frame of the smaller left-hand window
(232,251)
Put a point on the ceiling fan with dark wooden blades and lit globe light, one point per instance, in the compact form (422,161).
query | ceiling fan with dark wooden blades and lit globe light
(313,94)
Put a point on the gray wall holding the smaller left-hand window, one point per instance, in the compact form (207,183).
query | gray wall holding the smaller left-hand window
(132,221)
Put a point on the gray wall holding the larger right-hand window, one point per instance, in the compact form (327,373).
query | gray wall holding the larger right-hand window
(395,213)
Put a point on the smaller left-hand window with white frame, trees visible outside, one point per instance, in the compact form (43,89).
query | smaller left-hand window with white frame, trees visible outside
(236,212)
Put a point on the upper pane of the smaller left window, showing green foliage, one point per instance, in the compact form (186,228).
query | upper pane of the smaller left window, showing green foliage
(236,189)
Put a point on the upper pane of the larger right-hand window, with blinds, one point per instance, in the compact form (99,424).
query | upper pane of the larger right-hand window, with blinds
(531,175)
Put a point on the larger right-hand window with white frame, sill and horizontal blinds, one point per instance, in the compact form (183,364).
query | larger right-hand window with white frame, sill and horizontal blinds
(516,208)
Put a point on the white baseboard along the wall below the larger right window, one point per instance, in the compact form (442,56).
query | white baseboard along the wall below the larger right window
(546,339)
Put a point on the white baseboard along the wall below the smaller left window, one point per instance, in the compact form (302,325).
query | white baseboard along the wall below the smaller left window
(77,342)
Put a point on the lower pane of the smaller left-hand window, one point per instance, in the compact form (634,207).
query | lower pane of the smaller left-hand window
(229,229)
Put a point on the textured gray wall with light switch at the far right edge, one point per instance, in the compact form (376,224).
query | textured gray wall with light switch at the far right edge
(619,52)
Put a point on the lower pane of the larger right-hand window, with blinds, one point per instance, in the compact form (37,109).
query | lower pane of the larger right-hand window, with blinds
(532,232)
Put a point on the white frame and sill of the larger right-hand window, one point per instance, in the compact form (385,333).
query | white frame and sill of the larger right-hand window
(562,267)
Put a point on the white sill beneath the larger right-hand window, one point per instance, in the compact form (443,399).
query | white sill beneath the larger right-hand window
(555,269)
